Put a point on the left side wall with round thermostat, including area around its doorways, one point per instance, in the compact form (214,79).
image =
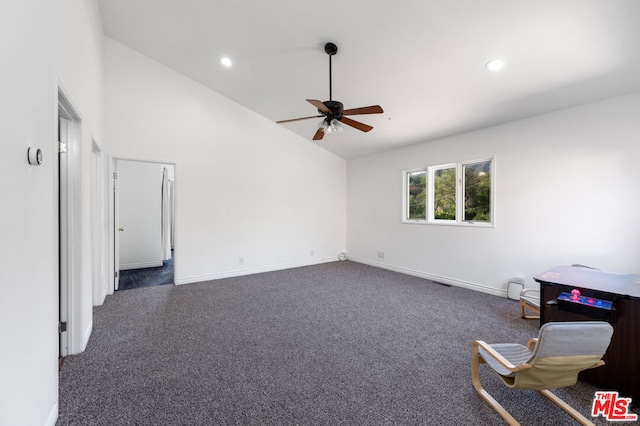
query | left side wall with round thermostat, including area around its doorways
(34,44)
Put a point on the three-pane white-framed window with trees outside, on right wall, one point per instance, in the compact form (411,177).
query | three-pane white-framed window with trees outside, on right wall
(457,193)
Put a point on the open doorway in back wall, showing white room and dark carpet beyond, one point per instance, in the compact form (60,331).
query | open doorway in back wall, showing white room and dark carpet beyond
(144,229)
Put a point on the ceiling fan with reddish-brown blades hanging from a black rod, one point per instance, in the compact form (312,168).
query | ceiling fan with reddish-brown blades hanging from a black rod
(333,111)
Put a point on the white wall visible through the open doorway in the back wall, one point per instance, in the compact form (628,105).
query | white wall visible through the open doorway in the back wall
(140,208)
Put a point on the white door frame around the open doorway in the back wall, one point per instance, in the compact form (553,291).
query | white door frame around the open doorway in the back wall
(114,248)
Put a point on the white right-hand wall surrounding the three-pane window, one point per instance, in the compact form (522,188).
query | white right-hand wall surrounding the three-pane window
(567,192)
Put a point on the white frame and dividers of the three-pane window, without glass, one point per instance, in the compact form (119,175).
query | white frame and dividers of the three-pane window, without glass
(459,167)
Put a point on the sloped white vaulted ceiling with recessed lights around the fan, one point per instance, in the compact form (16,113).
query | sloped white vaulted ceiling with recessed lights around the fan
(421,60)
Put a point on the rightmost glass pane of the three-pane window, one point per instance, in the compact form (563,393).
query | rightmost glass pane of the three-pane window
(477,192)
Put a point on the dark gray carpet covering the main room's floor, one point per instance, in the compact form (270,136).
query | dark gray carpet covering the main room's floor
(332,344)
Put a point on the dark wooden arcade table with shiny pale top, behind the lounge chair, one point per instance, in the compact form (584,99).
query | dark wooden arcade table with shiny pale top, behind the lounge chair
(622,369)
